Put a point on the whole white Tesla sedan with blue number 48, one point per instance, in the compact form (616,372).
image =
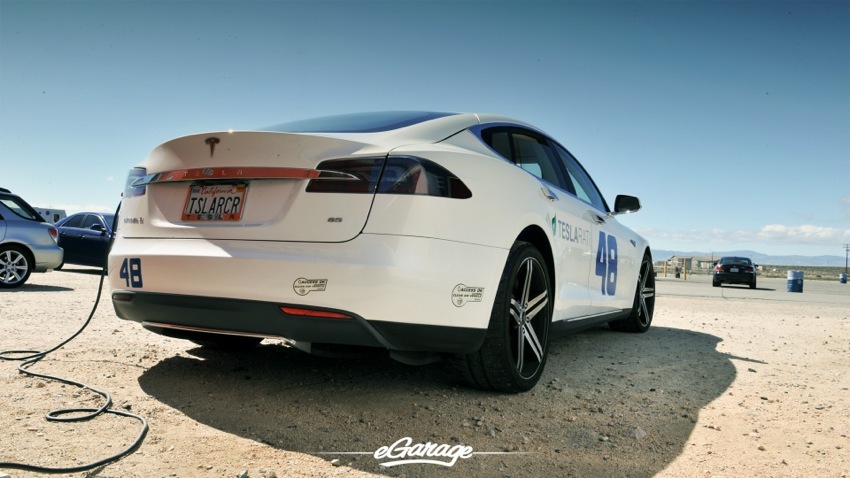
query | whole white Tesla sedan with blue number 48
(429,234)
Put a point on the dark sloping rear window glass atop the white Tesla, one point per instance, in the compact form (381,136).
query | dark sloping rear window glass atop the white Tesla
(358,122)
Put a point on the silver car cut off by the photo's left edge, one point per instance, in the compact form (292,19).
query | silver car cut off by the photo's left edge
(27,243)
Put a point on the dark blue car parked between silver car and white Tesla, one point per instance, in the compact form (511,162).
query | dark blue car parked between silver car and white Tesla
(85,238)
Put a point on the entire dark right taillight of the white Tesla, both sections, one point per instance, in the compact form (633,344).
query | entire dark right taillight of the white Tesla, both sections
(396,175)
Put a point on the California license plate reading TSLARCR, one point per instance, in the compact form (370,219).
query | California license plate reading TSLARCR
(221,202)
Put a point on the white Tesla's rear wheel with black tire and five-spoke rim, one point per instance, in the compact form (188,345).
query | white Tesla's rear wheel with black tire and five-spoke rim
(515,348)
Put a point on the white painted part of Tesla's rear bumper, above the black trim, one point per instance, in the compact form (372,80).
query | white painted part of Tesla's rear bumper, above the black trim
(370,274)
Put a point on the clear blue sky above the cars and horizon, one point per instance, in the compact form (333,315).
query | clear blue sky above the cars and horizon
(730,120)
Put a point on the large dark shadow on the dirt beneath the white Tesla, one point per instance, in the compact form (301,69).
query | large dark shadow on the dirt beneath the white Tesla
(600,387)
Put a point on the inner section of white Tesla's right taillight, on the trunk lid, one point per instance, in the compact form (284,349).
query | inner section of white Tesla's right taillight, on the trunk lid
(347,176)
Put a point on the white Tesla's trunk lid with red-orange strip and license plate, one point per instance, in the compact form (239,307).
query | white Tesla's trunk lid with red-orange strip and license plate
(250,185)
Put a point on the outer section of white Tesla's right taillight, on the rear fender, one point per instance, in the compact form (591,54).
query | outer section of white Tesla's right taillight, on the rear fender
(410,175)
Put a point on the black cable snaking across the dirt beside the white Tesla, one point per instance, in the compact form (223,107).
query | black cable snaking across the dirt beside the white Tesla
(34,356)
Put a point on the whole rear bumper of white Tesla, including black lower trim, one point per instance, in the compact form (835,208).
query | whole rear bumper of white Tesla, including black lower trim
(401,292)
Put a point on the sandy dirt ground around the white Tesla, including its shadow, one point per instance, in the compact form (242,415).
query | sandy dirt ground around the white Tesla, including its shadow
(729,382)
